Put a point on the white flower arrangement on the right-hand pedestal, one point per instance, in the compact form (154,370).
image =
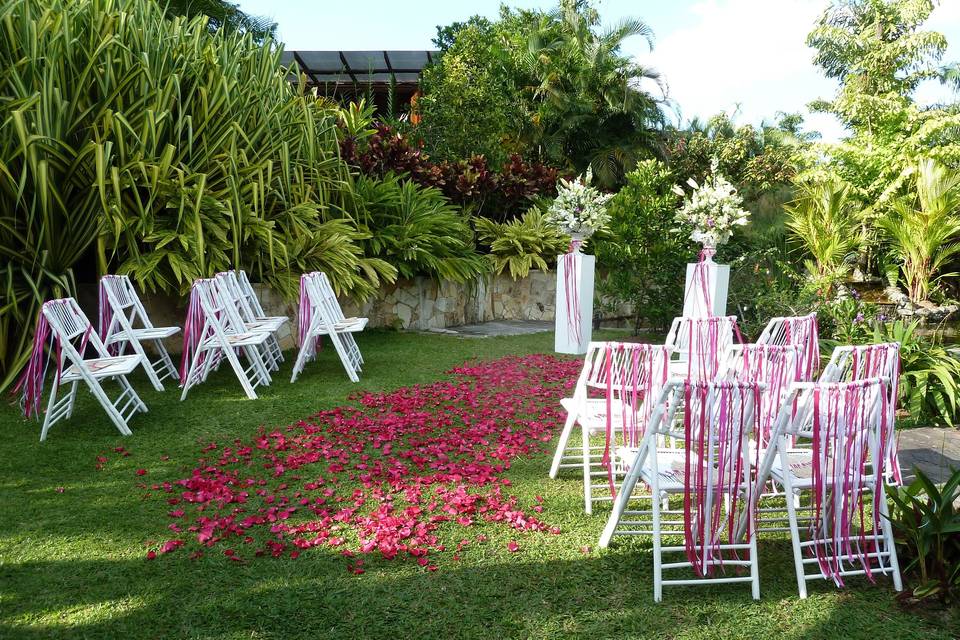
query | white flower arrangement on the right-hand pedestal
(713,208)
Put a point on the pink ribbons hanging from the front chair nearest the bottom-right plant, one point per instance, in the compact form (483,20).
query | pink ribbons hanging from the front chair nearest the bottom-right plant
(840,455)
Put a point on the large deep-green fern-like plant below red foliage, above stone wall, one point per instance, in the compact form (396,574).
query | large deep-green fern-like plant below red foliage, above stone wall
(416,229)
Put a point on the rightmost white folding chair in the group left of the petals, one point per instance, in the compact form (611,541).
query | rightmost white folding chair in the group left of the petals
(321,313)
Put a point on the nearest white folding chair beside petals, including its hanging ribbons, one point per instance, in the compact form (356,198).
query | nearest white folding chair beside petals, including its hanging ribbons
(711,473)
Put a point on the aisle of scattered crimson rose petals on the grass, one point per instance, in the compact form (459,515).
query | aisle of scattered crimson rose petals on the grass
(403,474)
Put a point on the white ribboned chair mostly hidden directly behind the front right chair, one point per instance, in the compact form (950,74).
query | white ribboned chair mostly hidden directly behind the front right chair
(850,363)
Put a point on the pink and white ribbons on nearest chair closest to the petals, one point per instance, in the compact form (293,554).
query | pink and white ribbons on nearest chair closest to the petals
(724,439)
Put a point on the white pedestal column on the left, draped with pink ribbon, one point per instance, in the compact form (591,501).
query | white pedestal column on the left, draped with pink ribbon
(567,339)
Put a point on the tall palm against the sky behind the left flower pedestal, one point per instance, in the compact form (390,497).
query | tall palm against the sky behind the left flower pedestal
(591,109)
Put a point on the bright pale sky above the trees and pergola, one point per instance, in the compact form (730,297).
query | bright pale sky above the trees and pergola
(716,55)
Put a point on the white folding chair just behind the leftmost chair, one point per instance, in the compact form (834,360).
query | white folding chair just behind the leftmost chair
(120,311)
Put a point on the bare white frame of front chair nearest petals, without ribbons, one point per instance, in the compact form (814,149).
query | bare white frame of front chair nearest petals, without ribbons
(659,519)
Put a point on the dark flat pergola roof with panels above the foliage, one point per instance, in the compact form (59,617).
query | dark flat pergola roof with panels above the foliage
(360,66)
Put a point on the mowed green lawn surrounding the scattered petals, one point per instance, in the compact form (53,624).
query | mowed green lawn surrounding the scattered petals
(72,563)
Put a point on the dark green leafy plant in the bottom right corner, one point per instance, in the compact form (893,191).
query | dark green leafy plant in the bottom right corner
(927,524)
